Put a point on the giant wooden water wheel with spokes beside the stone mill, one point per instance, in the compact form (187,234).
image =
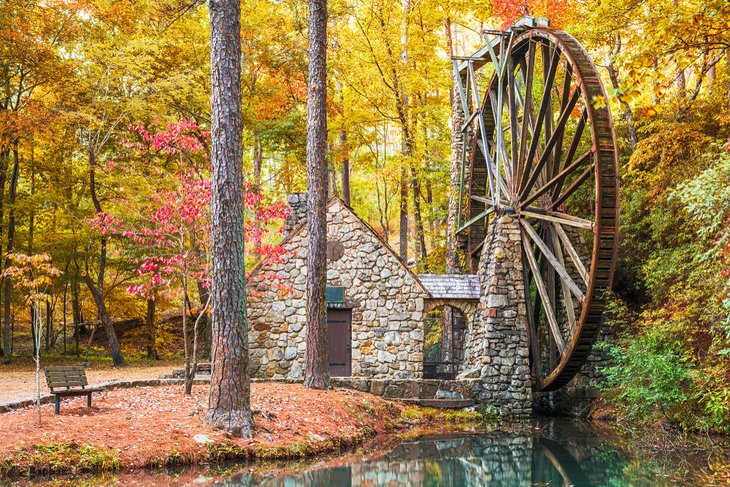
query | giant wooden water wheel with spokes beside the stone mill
(544,151)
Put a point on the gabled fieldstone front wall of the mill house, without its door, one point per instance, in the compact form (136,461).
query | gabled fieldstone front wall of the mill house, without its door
(386,299)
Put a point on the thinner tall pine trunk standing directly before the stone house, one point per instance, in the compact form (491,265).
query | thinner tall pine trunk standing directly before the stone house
(316,370)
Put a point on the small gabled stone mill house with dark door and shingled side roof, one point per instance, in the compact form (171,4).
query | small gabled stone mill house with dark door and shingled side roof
(376,305)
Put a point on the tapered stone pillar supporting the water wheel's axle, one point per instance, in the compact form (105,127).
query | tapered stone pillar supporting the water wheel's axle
(497,346)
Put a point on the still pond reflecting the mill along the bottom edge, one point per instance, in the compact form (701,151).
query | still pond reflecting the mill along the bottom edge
(542,453)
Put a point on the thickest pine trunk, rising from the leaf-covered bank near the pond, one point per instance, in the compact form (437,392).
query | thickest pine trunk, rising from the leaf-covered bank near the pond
(229,405)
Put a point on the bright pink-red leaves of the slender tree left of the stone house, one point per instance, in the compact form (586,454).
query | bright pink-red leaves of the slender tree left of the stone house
(174,232)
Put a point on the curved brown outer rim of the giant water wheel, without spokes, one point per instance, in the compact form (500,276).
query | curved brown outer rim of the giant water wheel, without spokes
(605,210)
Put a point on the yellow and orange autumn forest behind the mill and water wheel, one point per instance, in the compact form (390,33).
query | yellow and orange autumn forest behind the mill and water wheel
(104,164)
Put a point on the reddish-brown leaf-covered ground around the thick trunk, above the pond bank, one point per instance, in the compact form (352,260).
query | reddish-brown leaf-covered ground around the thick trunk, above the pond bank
(148,423)
